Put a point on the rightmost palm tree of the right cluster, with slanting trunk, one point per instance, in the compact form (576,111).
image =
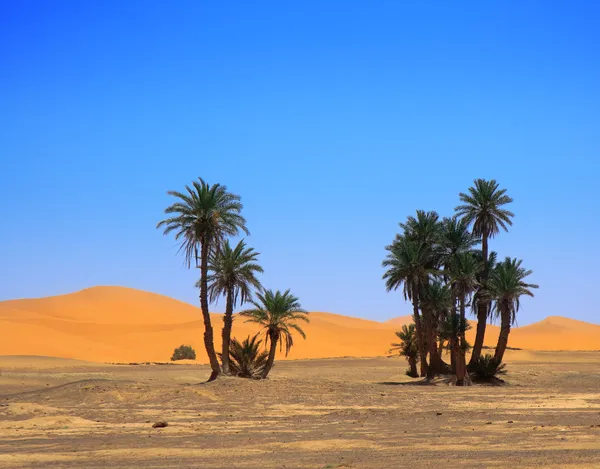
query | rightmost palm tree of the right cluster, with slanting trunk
(507,285)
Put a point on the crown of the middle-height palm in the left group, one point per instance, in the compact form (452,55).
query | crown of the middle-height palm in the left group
(233,270)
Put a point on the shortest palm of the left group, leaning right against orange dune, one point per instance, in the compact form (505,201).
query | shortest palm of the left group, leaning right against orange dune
(278,314)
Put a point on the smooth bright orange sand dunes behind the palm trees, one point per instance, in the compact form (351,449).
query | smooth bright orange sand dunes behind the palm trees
(116,324)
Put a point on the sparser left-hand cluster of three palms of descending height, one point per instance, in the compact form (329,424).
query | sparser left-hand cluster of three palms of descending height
(202,219)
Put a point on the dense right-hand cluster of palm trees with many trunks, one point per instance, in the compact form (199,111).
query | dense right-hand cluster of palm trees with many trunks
(444,266)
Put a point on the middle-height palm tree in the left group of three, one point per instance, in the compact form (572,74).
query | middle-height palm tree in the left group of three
(232,274)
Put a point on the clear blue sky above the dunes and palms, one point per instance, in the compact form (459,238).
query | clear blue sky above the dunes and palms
(334,122)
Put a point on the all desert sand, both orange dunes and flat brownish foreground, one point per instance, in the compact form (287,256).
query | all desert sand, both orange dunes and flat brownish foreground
(70,407)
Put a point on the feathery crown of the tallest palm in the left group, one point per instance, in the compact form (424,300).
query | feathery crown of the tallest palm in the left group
(203,214)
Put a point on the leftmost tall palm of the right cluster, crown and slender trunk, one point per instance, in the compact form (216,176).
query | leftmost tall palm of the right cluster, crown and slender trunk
(407,265)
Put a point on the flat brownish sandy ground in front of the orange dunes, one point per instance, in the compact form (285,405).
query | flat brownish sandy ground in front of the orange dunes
(331,413)
